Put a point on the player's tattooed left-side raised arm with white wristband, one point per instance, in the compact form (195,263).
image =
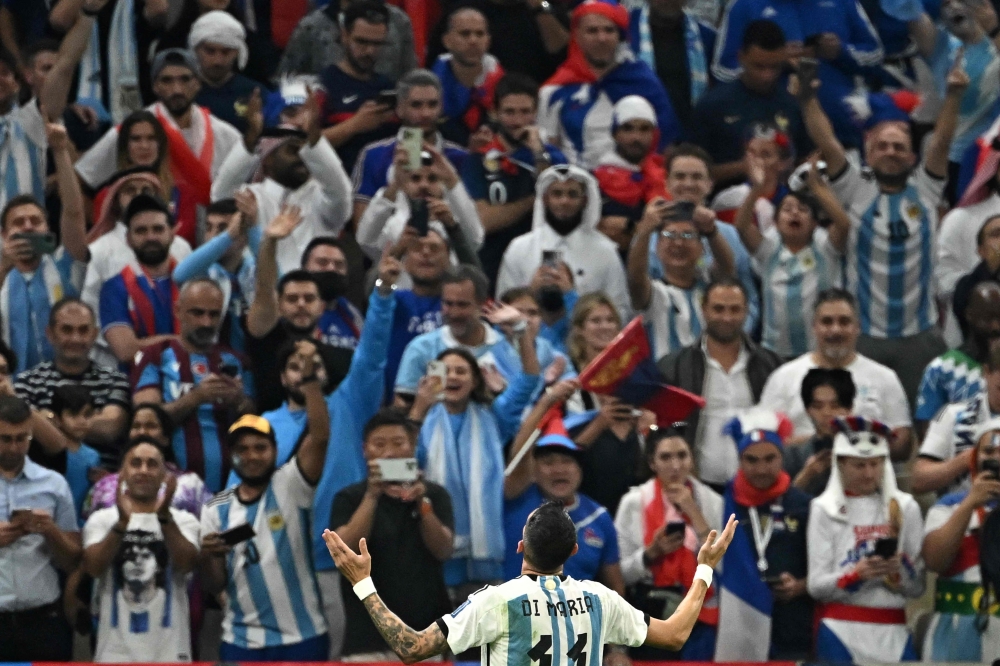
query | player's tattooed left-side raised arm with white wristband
(409,644)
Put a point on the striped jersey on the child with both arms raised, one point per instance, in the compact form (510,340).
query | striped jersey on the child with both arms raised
(790,283)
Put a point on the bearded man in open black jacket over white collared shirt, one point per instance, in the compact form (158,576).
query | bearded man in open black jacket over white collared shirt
(728,370)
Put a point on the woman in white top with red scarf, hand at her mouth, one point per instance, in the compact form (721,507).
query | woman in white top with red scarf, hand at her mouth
(660,526)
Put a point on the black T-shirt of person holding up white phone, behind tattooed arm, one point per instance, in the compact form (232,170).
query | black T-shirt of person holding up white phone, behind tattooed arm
(409,579)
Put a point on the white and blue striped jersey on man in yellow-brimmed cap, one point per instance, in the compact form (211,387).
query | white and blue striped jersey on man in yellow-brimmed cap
(272,597)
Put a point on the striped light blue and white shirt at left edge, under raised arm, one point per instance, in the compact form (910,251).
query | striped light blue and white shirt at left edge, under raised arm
(22,153)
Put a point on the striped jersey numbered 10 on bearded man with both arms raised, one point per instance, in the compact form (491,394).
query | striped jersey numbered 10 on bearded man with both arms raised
(890,251)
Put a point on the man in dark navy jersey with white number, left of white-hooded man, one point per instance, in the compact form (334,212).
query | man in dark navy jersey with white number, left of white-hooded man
(500,176)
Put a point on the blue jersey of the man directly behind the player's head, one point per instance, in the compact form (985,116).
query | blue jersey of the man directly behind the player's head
(595,535)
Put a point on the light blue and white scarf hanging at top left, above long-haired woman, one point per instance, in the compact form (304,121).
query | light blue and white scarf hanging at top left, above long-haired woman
(123,65)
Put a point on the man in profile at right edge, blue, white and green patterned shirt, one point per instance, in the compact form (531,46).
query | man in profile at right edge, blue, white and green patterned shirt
(955,375)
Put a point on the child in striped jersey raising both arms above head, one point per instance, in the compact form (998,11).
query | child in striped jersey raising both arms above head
(795,259)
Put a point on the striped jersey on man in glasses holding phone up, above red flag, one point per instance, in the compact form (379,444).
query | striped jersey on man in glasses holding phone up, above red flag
(673,317)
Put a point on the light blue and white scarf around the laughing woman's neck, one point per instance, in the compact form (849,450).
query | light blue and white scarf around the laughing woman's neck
(470,467)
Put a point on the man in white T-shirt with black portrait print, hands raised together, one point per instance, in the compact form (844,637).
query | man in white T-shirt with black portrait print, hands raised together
(141,552)
